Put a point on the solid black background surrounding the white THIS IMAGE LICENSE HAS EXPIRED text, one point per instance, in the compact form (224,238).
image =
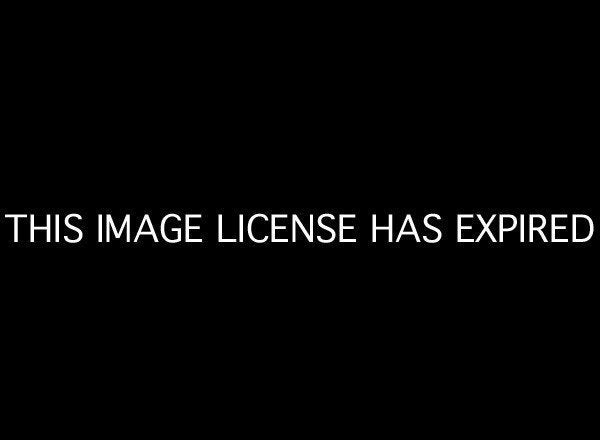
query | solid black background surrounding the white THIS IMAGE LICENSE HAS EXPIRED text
(368,113)
